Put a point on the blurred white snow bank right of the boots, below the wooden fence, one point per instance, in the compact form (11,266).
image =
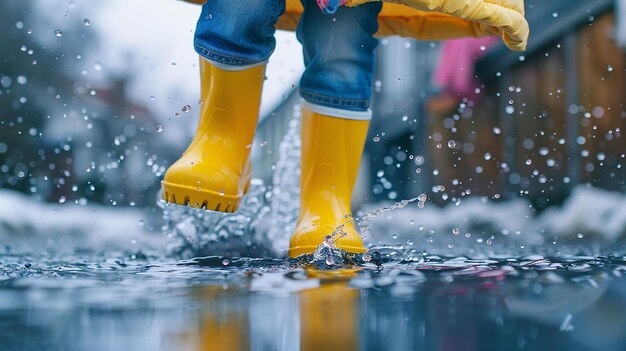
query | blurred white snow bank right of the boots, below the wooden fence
(589,213)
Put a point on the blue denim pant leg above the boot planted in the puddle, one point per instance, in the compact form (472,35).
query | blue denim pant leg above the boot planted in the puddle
(338,55)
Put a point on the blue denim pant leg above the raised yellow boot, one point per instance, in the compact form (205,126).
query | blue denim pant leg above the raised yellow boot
(237,32)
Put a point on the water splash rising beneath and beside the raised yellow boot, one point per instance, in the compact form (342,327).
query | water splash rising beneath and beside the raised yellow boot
(262,224)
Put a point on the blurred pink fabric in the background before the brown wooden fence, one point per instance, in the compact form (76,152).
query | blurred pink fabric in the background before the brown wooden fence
(455,73)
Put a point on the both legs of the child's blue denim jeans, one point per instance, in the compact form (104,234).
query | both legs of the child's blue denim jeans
(338,49)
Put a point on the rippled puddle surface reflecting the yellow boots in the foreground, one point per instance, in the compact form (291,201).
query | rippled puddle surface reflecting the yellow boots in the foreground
(430,303)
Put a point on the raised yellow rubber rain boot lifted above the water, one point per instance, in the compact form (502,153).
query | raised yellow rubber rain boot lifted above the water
(214,172)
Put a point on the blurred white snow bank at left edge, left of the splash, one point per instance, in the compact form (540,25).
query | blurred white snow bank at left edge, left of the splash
(32,223)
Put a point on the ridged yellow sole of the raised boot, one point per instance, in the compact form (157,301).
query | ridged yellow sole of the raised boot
(200,198)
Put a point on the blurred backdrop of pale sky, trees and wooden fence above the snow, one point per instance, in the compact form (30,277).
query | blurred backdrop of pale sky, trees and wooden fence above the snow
(98,98)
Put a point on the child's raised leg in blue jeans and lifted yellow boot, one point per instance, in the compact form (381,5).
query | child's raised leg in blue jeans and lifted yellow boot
(235,39)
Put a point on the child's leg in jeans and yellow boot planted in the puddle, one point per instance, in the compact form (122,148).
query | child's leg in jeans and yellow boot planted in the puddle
(336,86)
